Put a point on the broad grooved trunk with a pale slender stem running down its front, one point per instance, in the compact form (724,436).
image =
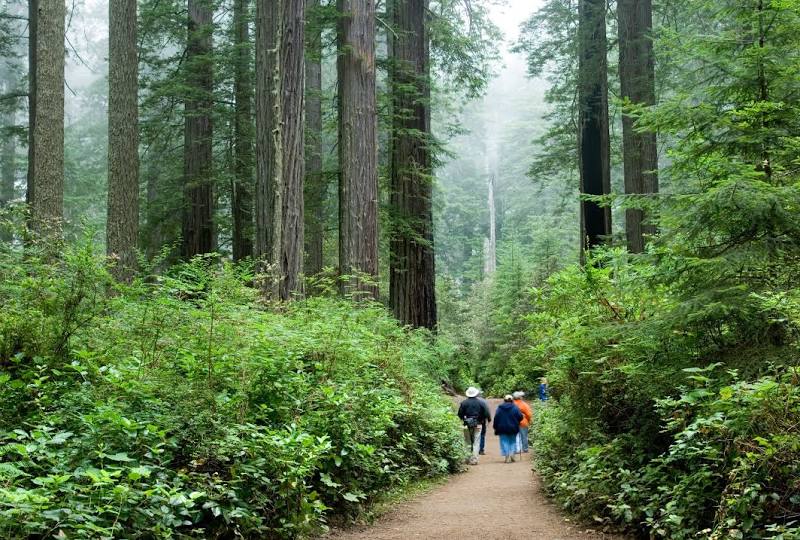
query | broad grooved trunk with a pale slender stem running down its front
(280,142)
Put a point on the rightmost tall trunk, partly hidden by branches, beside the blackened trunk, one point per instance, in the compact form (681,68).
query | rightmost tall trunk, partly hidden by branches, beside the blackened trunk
(637,82)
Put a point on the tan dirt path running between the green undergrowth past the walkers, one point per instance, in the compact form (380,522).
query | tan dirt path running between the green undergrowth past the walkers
(491,501)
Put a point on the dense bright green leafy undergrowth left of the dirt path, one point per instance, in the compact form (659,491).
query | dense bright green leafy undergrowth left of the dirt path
(181,407)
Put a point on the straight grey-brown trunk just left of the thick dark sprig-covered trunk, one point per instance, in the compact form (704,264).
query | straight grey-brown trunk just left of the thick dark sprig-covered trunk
(358,144)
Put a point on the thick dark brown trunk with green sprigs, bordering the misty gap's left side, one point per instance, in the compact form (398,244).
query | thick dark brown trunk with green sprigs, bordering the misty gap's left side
(412,275)
